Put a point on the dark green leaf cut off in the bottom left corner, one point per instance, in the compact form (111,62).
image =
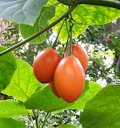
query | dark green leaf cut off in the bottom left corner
(10,123)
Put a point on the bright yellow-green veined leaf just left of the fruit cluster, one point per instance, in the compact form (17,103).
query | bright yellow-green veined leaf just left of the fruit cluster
(23,82)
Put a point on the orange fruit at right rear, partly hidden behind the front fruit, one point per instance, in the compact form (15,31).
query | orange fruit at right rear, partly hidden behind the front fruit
(79,52)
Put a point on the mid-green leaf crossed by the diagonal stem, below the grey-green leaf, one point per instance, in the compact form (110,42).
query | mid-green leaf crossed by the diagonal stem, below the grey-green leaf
(41,23)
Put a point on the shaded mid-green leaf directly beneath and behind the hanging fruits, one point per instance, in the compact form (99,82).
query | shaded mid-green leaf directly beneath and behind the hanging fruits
(48,101)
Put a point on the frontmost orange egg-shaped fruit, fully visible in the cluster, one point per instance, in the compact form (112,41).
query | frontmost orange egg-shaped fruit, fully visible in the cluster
(69,78)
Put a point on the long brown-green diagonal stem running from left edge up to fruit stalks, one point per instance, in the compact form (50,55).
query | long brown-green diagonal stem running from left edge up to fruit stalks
(40,32)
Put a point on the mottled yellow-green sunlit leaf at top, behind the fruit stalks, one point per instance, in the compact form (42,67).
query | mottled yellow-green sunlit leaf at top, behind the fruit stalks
(83,16)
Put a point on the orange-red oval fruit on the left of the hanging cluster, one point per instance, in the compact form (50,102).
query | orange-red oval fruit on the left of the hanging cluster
(45,64)
